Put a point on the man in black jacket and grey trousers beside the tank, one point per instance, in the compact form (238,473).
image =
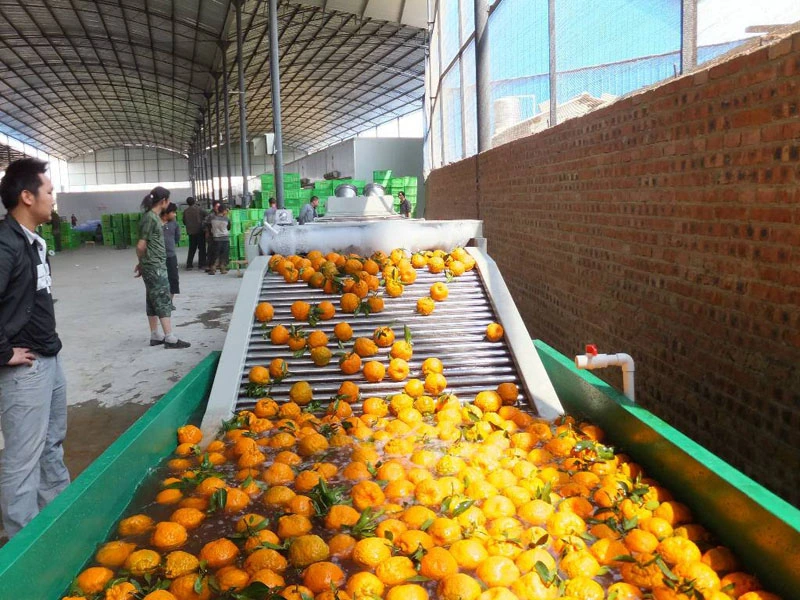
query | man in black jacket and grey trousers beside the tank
(33,390)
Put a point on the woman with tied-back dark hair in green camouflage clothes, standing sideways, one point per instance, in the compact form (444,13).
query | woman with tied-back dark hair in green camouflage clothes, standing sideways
(152,268)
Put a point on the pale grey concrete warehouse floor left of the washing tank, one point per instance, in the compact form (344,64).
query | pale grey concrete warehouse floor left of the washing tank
(113,373)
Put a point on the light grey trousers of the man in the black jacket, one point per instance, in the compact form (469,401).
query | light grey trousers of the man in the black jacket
(33,415)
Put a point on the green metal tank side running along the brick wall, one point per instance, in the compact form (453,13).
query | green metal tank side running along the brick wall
(763,529)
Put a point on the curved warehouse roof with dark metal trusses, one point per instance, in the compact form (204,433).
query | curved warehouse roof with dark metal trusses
(79,75)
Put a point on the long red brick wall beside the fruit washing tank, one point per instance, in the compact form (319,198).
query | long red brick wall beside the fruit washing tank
(666,225)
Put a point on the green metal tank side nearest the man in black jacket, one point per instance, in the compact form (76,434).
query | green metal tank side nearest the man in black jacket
(42,559)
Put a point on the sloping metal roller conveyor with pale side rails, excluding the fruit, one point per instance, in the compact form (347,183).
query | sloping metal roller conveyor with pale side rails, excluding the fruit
(454,333)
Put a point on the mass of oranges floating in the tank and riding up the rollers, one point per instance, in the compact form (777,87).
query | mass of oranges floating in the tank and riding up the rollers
(417,495)
